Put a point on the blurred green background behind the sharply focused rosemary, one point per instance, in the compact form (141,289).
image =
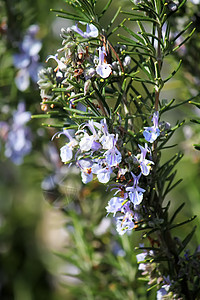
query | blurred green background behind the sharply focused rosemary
(55,241)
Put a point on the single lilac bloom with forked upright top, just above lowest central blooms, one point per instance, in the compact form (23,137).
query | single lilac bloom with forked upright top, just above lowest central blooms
(135,192)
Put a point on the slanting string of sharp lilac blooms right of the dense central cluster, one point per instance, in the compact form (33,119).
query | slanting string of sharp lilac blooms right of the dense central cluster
(128,202)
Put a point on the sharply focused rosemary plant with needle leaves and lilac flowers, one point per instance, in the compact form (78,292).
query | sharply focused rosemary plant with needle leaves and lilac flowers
(106,100)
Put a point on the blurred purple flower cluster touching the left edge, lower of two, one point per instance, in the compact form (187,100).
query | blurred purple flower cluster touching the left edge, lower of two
(16,135)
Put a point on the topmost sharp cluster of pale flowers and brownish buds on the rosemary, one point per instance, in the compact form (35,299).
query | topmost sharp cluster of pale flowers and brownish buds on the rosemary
(78,61)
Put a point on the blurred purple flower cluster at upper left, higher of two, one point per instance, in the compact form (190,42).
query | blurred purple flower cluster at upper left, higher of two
(27,60)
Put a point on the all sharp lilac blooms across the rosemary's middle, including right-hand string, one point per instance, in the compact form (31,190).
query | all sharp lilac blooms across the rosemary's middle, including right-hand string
(97,154)
